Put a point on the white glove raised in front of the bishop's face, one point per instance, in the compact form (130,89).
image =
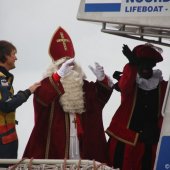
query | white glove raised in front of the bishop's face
(66,67)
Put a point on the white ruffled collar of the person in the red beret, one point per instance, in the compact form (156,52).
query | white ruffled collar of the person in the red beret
(152,83)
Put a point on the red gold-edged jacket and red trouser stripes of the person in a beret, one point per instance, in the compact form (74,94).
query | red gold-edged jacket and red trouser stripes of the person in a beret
(119,130)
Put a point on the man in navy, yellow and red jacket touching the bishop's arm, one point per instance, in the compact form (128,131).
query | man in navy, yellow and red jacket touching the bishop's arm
(9,102)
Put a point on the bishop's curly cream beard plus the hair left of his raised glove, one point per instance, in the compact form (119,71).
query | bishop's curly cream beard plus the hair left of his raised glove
(72,100)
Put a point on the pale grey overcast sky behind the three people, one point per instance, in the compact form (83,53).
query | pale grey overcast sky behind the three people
(30,24)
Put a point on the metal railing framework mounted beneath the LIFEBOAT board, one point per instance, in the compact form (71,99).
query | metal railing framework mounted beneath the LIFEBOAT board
(149,34)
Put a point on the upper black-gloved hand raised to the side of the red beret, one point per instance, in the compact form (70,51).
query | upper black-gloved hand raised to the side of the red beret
(129,55)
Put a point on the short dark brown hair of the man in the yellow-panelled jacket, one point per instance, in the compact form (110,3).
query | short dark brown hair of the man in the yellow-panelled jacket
(5,50)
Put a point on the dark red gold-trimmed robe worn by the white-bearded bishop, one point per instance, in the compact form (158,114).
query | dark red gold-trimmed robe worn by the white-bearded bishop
(50,136)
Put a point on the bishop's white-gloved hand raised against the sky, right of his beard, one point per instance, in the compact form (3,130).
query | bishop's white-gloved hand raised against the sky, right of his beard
(98,71)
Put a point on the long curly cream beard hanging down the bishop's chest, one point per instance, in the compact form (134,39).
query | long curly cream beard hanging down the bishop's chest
(72,100)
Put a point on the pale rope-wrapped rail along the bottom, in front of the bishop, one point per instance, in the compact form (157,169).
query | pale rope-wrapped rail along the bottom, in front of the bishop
(51,164)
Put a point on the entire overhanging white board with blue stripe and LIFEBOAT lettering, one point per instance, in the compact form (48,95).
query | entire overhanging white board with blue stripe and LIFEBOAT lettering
(139,12)
